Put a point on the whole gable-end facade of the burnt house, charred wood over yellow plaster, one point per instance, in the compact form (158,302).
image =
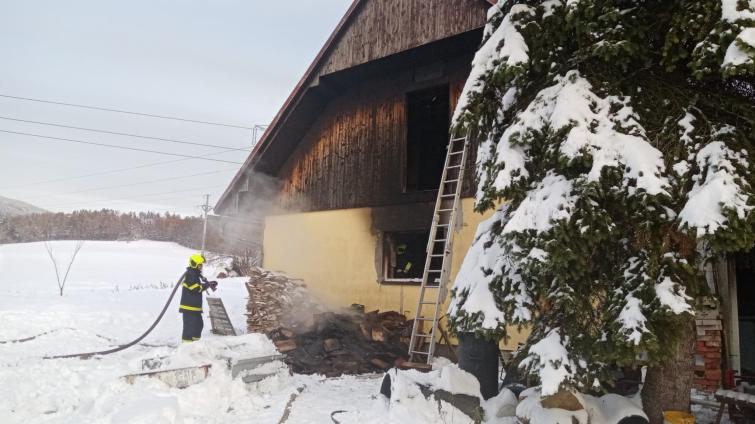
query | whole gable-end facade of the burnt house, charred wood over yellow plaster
(345,178)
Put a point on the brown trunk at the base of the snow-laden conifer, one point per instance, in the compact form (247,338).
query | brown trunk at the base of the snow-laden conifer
(667,387)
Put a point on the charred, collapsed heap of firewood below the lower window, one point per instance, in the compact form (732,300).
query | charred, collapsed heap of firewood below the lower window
(346,343)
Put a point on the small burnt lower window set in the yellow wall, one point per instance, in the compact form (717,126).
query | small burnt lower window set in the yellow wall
(404,256)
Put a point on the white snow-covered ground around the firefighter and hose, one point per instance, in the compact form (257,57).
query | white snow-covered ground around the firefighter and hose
(114,292)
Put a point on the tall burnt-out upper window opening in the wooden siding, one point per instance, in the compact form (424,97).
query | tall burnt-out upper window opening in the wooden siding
(428,124)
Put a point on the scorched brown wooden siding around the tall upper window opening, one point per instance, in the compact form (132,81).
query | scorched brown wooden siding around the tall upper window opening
(354,154)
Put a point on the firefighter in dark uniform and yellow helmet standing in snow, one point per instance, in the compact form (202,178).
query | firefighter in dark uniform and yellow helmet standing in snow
(193,284)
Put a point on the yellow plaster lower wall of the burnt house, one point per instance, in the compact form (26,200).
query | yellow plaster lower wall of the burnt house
(334,252)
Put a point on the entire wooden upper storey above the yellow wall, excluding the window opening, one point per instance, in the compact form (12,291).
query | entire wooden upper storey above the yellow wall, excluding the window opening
(375,37)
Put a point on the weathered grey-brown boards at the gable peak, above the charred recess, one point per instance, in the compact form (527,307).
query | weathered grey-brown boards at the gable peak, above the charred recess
(385,27)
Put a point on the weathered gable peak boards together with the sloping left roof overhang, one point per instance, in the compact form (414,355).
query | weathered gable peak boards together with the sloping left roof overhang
(372,31)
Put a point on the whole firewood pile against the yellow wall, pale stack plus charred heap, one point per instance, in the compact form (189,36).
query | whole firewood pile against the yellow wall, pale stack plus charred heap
(317,340)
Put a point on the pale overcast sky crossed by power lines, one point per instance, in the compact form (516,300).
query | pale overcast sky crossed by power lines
(224,61)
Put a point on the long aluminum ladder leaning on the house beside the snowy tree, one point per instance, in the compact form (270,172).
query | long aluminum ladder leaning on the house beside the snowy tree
(433,289)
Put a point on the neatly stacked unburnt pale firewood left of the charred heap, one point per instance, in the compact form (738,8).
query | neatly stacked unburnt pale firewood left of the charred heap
(276,300)
